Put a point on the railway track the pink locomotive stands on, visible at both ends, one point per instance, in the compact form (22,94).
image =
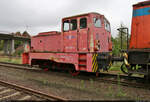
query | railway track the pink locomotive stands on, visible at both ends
(123,80)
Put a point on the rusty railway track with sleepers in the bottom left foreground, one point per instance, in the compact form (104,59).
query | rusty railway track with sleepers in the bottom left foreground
(10,91)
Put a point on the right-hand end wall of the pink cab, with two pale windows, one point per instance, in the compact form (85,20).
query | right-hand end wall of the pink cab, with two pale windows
(101,32)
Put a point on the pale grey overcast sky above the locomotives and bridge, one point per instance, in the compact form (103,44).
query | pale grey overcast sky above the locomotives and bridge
(45,15)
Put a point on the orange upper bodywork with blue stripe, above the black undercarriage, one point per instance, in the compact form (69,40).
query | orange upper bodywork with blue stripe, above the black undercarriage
(140,26)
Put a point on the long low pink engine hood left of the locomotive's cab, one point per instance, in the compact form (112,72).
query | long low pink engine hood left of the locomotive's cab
(47,41)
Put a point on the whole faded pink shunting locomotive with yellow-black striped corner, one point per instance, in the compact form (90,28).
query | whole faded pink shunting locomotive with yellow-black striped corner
(84,44)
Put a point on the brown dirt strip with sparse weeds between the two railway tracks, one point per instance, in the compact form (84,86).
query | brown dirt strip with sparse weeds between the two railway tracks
(73,88)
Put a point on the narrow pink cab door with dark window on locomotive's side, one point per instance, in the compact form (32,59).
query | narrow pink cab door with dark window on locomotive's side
(83,34)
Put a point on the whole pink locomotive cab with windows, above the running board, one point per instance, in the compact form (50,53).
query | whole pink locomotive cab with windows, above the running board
(86,33)
